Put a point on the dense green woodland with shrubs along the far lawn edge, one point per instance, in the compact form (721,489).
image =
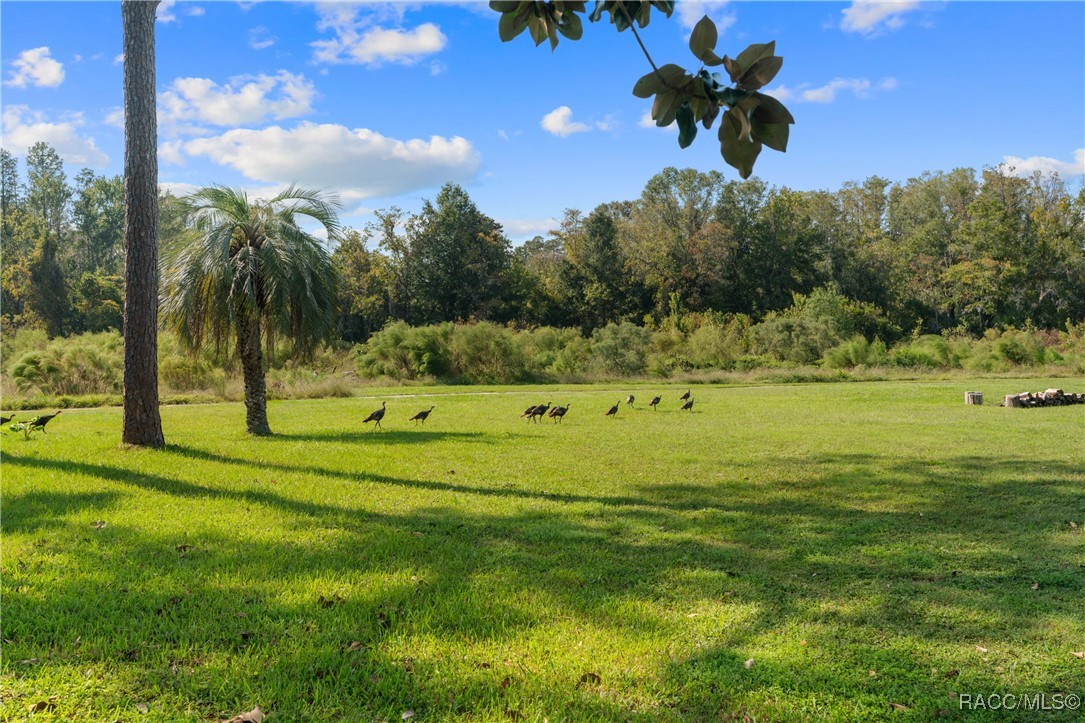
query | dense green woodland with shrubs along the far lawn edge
(773,274)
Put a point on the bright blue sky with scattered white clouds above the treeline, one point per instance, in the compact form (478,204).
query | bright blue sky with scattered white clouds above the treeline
(382,104)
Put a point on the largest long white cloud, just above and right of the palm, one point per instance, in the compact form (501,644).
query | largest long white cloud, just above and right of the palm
(359,162)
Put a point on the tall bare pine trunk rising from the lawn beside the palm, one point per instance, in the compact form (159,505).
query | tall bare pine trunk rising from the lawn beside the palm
(143,424)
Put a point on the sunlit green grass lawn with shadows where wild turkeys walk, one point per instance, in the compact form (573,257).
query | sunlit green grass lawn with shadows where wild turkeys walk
(864,546)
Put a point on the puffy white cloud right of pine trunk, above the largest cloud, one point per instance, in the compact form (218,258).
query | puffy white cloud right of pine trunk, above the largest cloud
(242,100)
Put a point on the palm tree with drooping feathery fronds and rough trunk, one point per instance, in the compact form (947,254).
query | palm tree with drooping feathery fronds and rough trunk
(244,269)
